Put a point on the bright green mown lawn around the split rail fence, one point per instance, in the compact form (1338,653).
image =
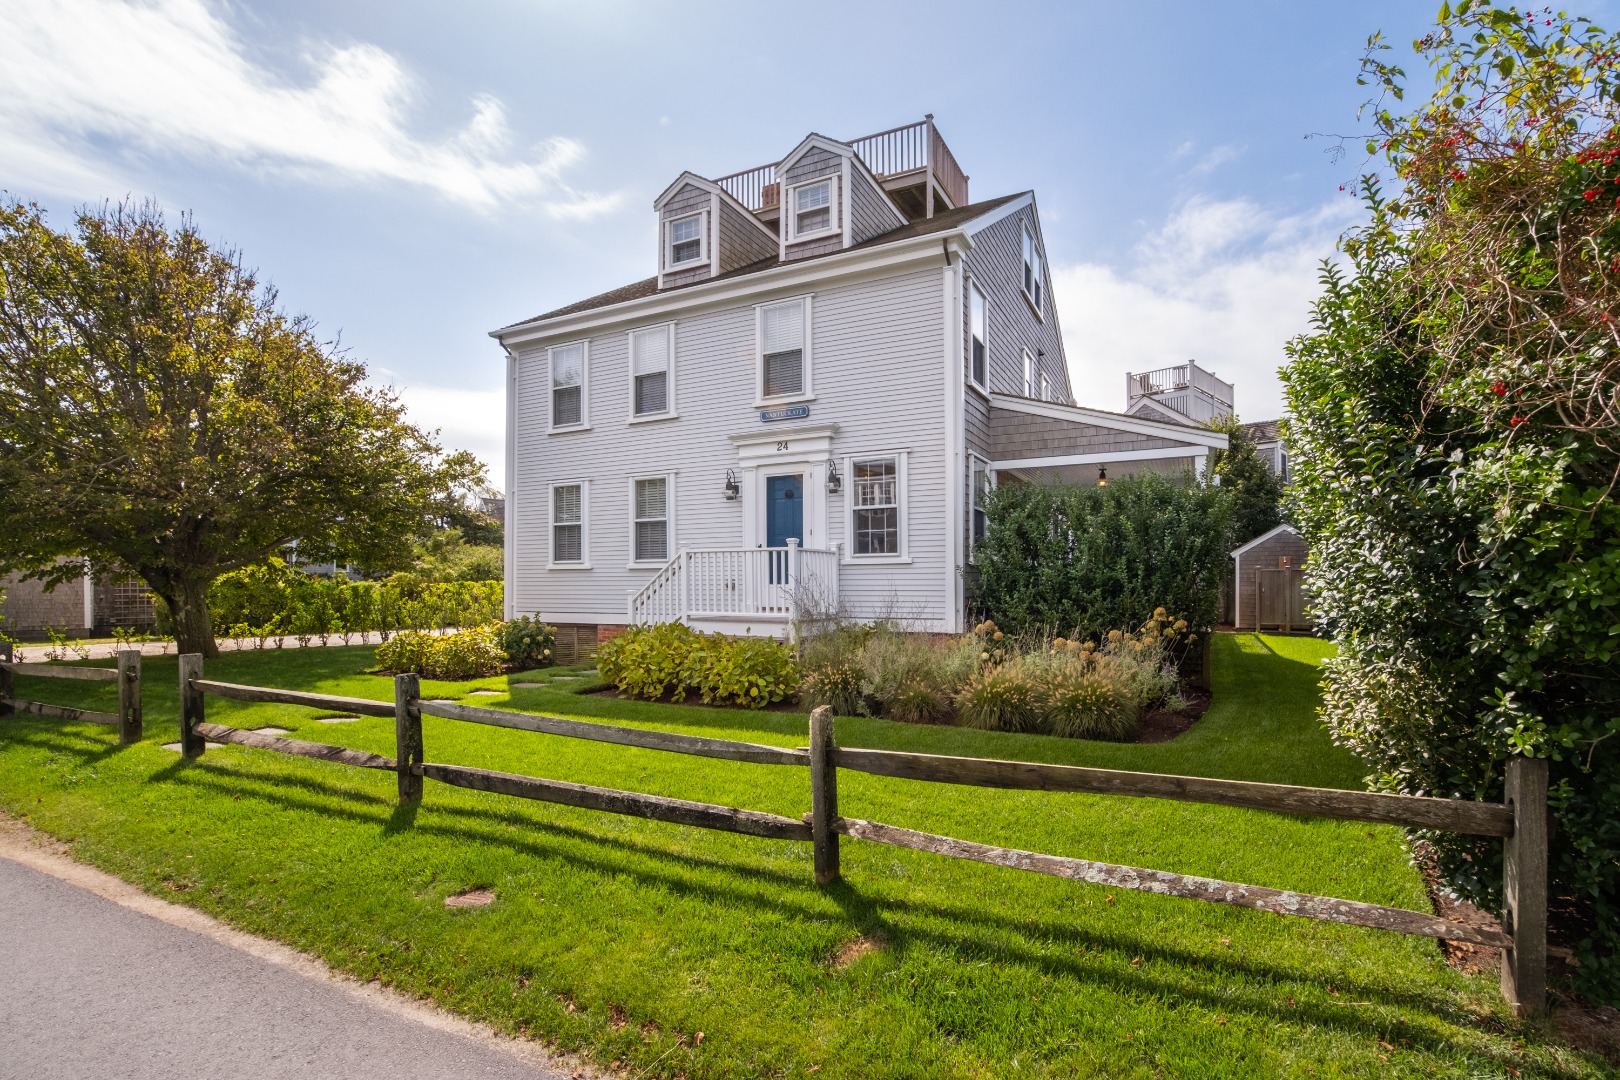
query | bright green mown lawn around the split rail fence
(626,938)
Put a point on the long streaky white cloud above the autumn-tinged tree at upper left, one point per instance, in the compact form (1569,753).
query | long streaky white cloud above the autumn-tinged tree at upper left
(171,80)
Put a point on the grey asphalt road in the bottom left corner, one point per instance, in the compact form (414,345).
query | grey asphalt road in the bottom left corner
(90,989)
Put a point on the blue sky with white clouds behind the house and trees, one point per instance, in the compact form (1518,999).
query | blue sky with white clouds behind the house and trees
(416,176)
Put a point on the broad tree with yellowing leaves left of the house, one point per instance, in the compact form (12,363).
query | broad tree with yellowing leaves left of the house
(160,414)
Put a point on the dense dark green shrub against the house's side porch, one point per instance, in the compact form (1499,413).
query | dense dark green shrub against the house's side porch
(1060,558)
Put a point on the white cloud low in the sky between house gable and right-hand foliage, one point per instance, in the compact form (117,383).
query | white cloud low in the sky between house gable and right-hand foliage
(1222,283)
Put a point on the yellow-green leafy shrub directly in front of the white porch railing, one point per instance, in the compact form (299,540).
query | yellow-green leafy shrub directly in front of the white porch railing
(675,660)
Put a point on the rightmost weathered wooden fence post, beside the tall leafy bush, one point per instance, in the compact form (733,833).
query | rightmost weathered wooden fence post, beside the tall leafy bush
(1525,887)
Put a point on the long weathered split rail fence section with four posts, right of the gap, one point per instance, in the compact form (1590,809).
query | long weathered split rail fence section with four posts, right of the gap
(1520,820)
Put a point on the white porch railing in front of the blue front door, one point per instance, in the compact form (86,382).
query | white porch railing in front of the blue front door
(765,584)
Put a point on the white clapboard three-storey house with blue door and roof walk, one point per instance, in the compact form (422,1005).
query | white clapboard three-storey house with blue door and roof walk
(837,355)
